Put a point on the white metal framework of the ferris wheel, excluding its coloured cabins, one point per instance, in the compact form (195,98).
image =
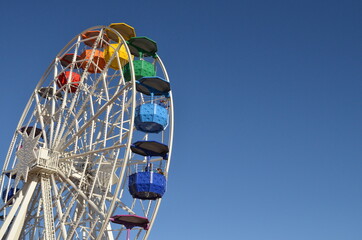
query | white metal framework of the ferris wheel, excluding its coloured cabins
(71,169)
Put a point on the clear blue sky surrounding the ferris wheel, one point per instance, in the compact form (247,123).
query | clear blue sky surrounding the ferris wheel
(267,107)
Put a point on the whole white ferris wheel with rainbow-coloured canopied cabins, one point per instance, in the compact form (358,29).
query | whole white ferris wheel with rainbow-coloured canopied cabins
(90,156)
